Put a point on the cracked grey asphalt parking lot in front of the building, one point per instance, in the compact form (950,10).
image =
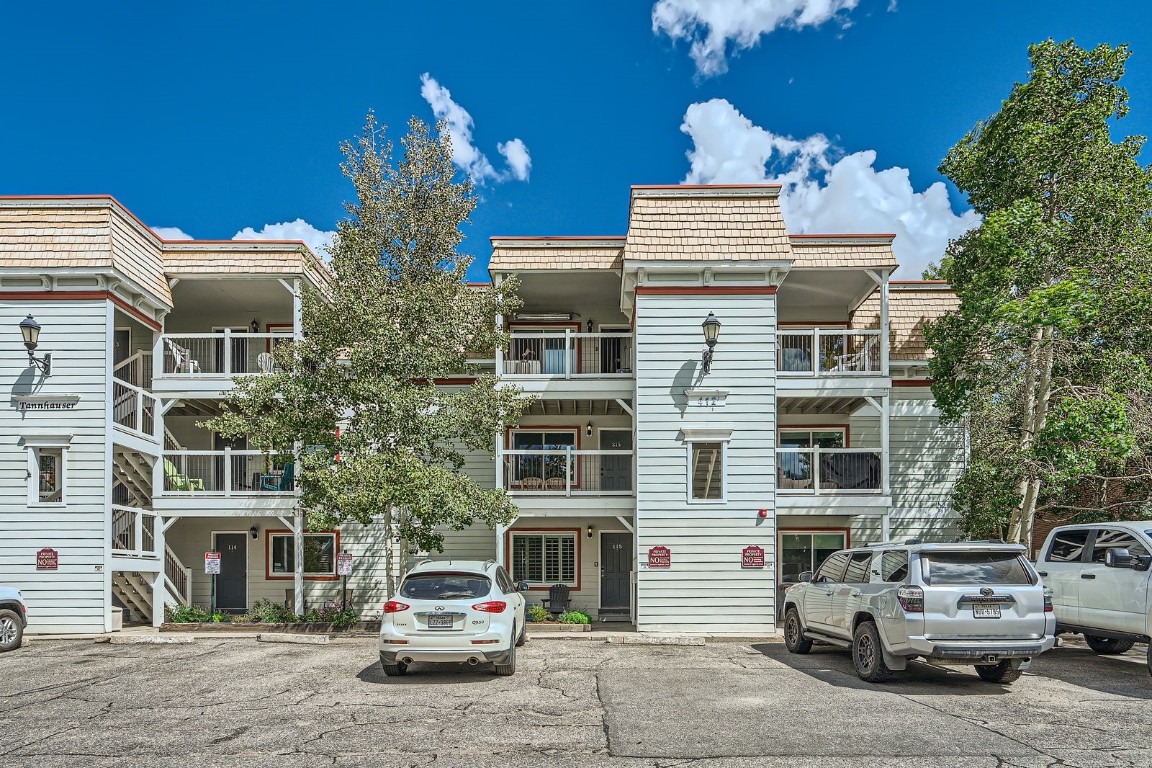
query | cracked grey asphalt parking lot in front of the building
(229,703)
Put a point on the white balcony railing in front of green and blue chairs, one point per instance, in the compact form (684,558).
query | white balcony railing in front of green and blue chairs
(225,474)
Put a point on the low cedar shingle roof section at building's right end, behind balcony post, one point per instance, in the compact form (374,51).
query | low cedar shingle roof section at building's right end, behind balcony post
(911,306)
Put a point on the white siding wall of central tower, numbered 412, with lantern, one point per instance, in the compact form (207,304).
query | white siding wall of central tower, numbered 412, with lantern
(706,590)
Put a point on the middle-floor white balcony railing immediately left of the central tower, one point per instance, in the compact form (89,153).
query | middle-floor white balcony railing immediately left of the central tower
(569,473)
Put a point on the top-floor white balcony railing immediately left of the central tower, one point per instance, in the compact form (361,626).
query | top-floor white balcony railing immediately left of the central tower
(569,355)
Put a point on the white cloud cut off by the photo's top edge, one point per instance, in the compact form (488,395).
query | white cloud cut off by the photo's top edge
(711,26)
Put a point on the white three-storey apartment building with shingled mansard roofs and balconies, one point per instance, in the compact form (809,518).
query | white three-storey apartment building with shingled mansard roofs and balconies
(661,495)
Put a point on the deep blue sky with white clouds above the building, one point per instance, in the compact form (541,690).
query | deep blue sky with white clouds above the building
(218,119)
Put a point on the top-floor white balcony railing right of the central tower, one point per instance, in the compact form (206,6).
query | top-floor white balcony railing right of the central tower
(829,353)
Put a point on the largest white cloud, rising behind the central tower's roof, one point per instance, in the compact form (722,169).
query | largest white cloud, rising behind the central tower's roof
(823,192)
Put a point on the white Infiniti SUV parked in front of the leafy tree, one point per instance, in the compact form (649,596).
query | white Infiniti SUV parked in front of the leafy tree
(466,612)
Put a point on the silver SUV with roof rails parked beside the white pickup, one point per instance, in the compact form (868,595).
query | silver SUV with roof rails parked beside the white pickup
(979,604)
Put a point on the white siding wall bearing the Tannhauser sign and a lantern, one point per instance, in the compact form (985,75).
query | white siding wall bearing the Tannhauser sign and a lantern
(74,598)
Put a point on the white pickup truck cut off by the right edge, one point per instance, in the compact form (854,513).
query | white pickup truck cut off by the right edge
(1100,576)
